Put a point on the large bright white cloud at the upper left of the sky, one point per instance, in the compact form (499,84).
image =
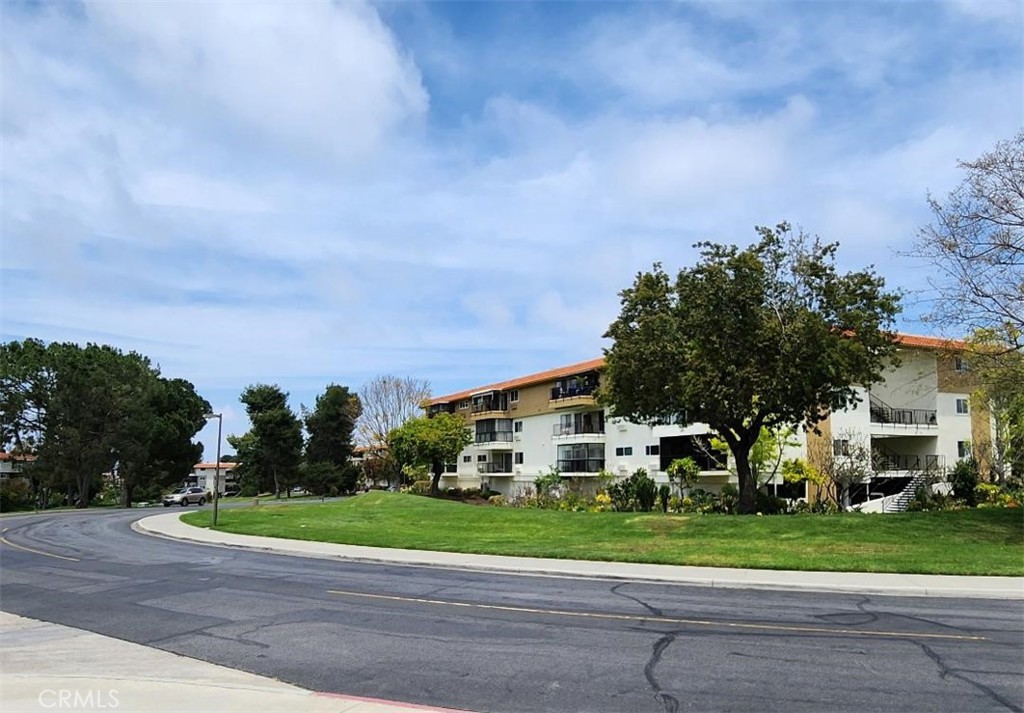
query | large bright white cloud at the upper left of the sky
(326,76)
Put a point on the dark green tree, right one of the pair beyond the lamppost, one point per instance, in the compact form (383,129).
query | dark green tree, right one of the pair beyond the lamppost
(329,447)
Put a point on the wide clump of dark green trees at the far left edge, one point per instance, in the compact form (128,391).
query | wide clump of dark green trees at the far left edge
(87,411)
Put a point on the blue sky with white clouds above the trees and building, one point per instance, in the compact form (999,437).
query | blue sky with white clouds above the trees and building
(313,193)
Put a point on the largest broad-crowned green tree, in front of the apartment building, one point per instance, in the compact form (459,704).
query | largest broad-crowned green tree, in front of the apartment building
(765,338)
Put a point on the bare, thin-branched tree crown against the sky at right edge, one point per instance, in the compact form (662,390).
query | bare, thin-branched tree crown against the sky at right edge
(976,245)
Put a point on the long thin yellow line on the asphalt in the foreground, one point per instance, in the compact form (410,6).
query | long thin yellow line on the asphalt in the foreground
(660,620)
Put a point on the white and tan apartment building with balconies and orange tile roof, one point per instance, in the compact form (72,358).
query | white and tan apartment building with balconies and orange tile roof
(921,418)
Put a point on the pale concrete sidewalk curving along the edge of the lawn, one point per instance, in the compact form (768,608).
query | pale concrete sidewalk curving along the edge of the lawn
(907,585)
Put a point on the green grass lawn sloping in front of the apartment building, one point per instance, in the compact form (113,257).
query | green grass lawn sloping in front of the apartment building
(964,542)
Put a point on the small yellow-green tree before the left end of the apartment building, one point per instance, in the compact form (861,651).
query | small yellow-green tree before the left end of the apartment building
(431,442)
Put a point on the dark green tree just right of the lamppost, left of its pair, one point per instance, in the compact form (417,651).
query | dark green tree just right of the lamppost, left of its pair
(272,450)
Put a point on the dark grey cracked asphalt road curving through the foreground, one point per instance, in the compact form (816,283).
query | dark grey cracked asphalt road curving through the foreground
(502,643)
